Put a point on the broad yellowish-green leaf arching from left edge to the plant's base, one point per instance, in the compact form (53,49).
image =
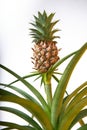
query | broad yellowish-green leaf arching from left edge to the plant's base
(35,109)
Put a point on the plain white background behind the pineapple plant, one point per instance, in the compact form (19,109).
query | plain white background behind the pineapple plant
(16,43)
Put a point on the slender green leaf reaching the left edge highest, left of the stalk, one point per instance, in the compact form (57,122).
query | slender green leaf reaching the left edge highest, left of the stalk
(29,86)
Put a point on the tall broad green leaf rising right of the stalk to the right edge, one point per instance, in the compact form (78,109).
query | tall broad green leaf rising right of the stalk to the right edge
(60,90)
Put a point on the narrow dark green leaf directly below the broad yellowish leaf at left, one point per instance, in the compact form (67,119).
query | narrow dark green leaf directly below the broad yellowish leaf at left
(22,115)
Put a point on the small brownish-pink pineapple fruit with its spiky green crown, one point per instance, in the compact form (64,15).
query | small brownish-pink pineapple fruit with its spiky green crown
(45,52)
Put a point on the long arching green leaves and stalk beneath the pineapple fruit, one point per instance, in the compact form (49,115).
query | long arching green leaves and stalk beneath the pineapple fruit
(57,112)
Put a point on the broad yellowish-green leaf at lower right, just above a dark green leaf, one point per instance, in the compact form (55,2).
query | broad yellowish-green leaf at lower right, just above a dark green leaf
(71,114)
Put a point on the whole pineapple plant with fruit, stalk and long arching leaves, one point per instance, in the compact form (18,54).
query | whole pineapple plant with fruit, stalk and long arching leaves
(60,110)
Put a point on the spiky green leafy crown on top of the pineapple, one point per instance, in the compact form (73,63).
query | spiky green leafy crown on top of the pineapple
(44,27)
